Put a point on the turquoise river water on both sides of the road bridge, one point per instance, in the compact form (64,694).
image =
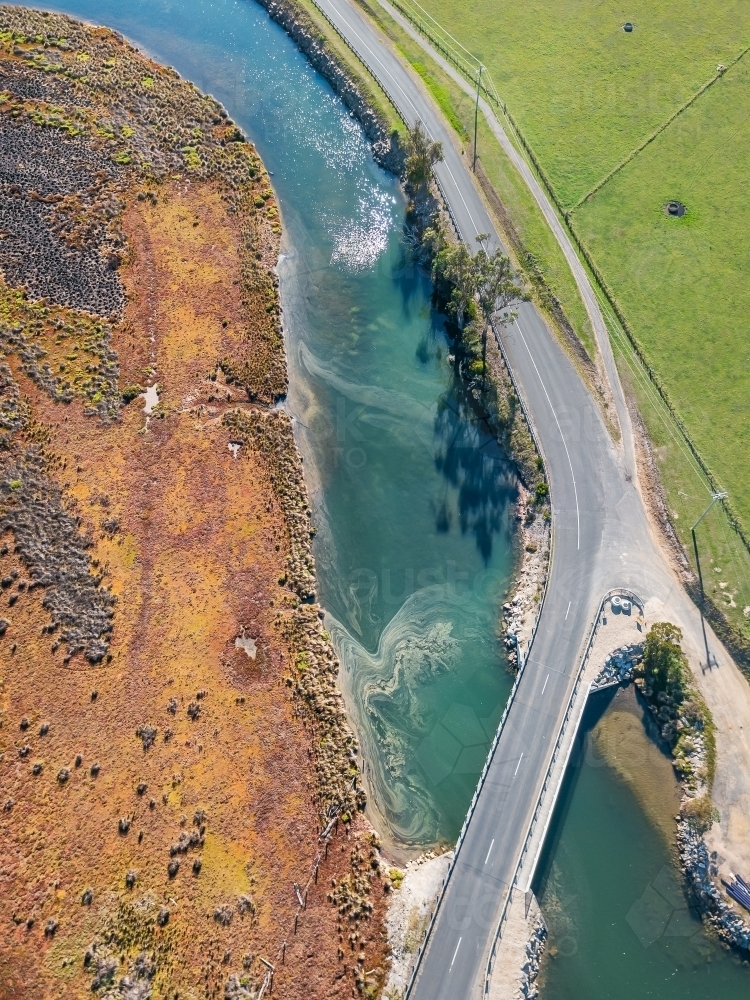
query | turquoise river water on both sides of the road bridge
(414,508)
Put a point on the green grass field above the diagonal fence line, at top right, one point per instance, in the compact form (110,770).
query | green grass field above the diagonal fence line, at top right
(584,92)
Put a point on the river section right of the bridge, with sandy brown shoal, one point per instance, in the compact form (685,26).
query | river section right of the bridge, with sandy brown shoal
(620,926)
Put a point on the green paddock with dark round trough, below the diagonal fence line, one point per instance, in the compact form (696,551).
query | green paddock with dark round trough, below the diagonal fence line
(684,284)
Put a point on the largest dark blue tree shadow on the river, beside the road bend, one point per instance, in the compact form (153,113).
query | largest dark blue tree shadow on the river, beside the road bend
(474,464)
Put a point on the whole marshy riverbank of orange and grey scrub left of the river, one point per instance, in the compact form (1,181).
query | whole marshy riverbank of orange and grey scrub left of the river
(171,743)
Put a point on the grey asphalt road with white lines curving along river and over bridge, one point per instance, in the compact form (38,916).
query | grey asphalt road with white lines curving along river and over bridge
(601,540)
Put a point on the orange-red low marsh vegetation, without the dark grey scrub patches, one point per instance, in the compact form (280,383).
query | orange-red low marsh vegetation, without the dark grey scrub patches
(192,542)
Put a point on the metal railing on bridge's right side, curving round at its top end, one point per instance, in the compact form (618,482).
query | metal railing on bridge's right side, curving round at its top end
(595,625)
